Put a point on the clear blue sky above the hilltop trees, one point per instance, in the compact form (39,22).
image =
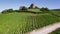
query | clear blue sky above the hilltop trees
(15,4)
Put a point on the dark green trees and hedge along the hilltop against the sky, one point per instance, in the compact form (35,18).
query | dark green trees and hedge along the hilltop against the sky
(25,9)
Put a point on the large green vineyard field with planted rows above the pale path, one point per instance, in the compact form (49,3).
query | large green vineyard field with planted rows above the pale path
(20,23)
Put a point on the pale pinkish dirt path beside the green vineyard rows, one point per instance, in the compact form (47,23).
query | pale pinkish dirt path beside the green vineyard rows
(47,29)
